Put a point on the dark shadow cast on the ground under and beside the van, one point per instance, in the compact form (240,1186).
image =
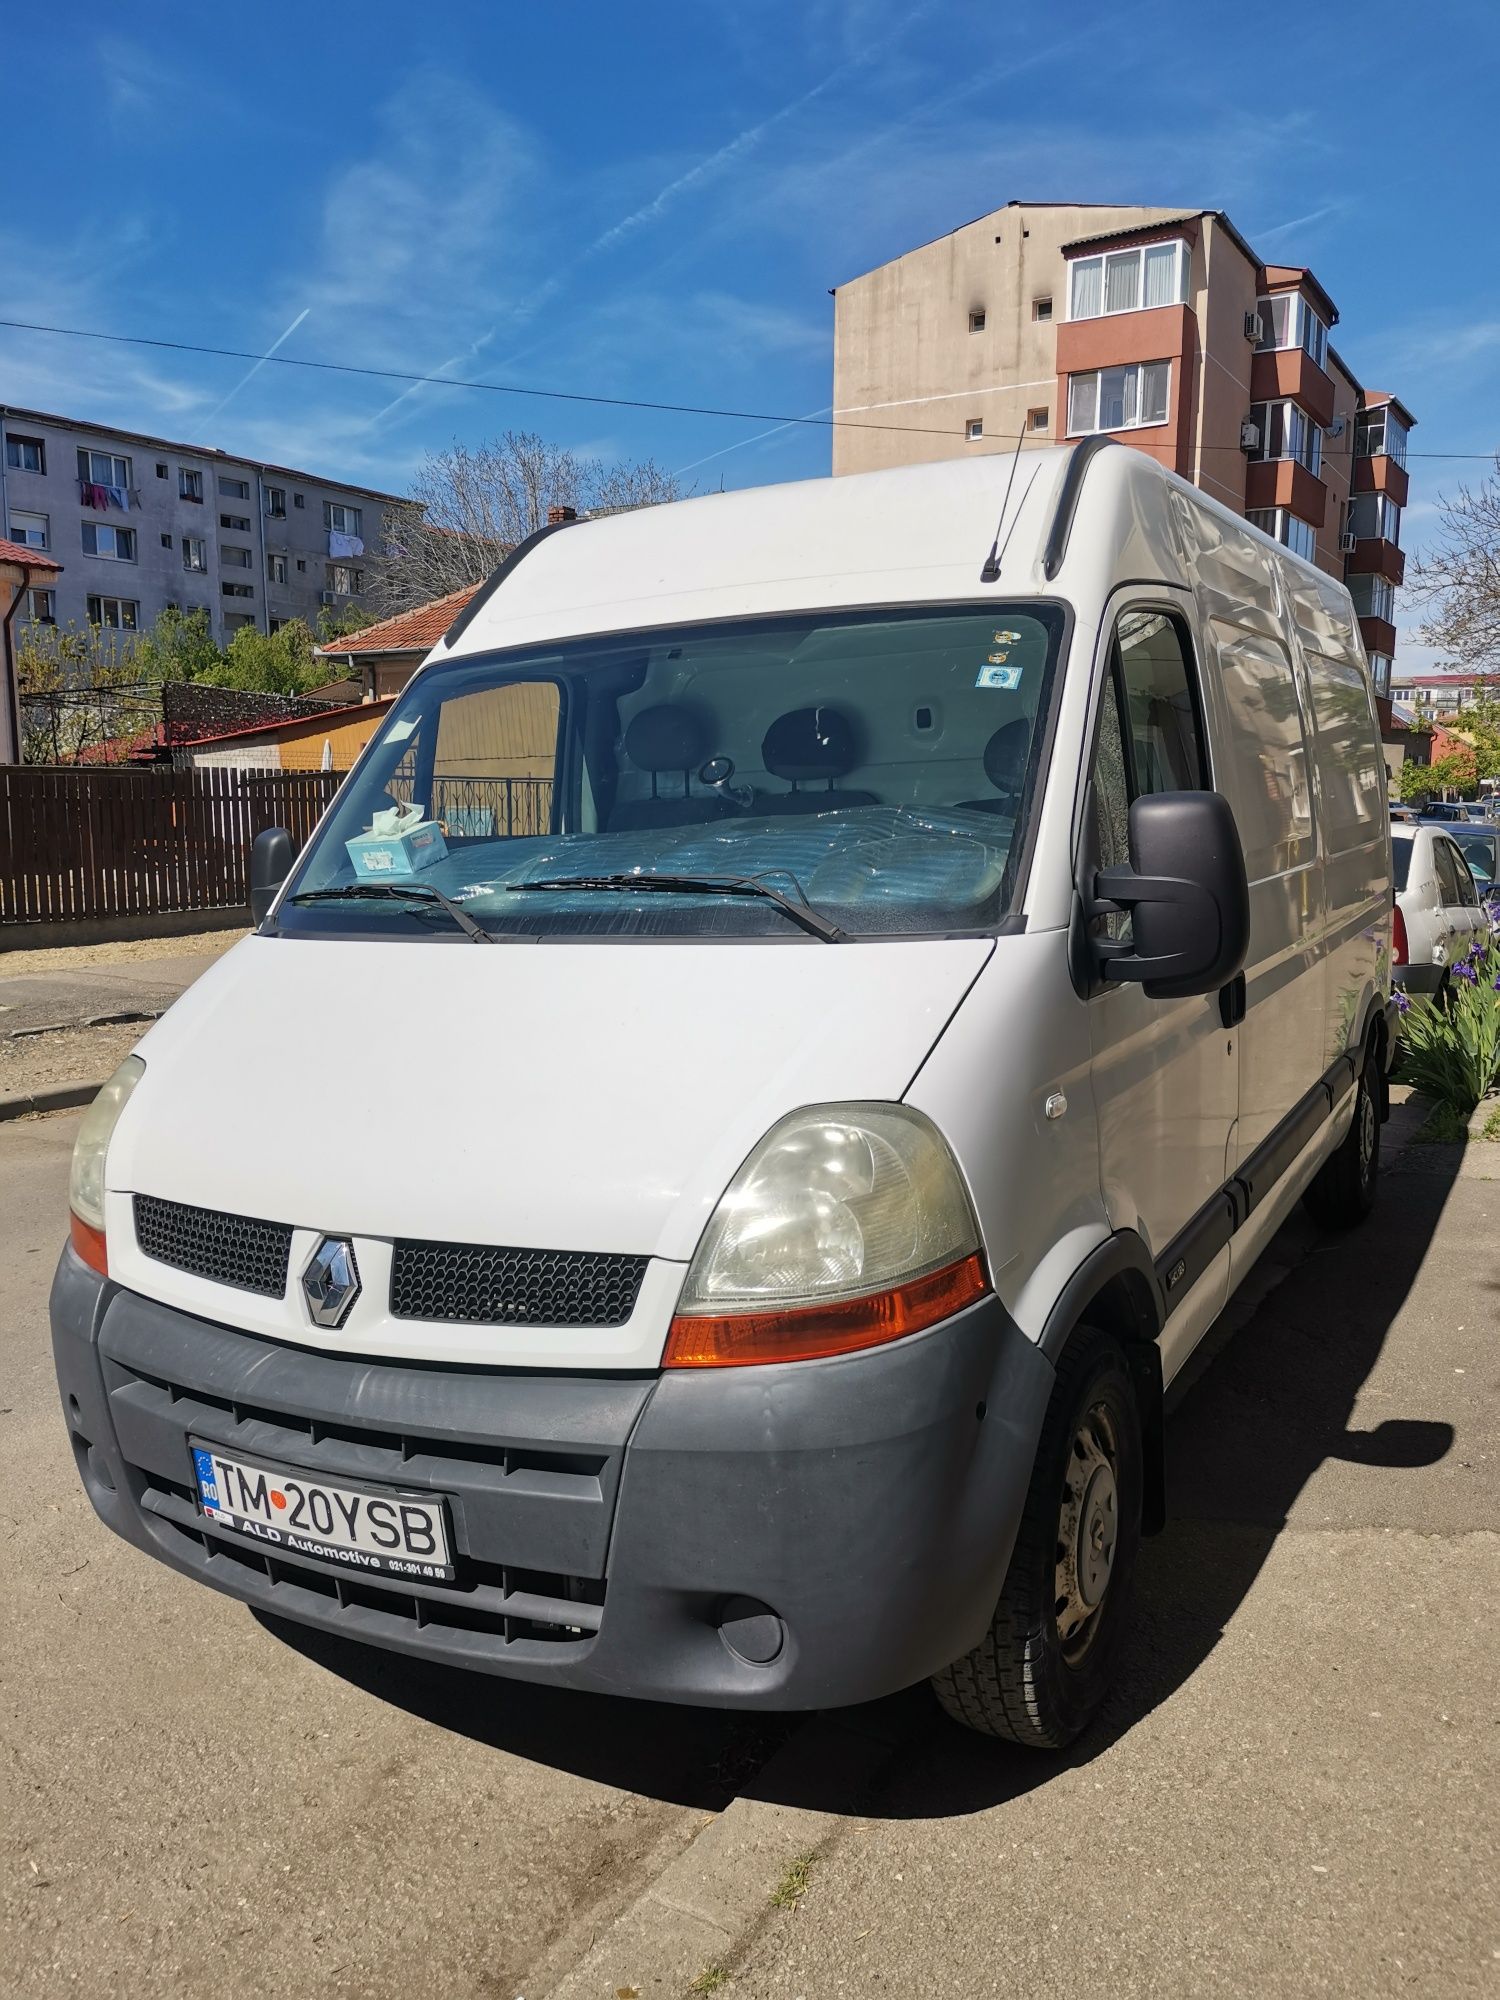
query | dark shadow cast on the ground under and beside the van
(1255,1427)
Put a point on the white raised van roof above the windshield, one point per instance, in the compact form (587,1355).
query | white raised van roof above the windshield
(913,535)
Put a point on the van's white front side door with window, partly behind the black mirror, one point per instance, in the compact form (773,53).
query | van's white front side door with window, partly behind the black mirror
(1165,1073)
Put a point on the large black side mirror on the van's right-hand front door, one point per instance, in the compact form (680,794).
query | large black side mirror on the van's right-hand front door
(1187,893)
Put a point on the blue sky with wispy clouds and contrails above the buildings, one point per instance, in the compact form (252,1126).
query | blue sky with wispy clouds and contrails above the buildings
(655,201)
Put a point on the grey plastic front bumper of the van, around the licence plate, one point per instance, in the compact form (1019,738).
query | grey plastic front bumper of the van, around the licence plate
(845,1523)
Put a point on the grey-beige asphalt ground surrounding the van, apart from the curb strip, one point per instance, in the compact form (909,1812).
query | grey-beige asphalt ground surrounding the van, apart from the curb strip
(1295,1789)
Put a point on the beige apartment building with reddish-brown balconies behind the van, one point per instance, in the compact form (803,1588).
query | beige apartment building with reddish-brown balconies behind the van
(1043,323)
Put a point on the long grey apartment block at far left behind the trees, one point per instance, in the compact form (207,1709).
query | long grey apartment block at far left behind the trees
(141,523)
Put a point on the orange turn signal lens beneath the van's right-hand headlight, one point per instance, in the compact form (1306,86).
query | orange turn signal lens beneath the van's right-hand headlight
(845,1327)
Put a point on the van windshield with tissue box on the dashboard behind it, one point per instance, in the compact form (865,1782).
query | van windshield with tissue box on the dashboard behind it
(877,771)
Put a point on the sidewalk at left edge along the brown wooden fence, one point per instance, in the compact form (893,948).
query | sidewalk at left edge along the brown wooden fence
(61,1009)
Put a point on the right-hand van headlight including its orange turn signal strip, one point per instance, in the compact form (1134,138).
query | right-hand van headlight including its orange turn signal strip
(847,1227)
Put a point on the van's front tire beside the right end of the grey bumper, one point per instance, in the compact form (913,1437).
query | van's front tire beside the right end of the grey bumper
(1027,1681)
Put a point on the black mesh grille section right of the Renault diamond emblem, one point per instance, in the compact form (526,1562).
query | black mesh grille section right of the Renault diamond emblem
(491,1287)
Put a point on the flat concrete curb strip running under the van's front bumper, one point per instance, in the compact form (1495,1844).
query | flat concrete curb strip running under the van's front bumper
(711,1901)
